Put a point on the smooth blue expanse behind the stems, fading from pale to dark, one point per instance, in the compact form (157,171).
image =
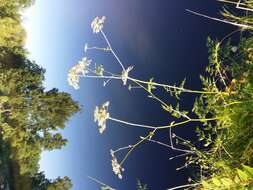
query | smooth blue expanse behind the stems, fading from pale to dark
(159,38)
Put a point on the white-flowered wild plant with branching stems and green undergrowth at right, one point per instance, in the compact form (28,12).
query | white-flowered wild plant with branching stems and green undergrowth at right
(225,97)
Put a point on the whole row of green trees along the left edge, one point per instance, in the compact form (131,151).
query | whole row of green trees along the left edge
(30,116)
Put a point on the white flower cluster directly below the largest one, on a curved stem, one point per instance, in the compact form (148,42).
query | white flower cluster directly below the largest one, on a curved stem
(101,114)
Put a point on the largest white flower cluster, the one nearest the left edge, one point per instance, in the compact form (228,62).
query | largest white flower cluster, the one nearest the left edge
(76,71)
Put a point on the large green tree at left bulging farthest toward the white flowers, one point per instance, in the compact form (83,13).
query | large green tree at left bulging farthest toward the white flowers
(30,113)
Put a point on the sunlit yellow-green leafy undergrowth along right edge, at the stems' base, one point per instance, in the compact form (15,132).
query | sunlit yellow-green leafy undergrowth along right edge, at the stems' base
(226,160)
